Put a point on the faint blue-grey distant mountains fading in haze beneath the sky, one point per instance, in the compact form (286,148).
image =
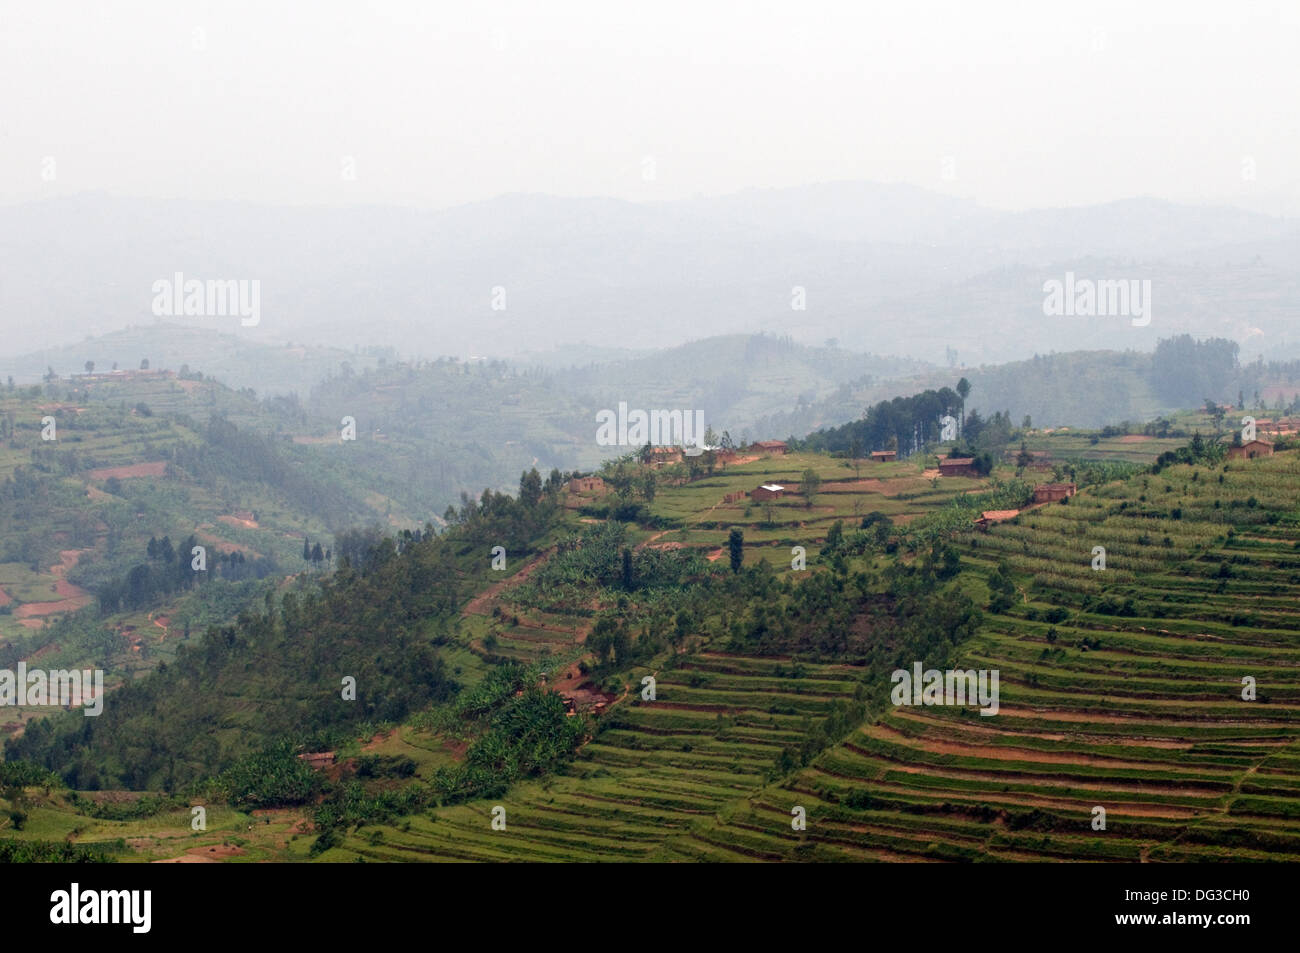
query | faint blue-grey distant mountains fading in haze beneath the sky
(883,268)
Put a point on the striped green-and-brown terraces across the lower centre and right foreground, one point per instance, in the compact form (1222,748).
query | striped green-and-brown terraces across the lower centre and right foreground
(1120,690)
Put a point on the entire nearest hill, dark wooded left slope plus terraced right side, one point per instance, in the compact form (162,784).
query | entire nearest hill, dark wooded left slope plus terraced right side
(655,675)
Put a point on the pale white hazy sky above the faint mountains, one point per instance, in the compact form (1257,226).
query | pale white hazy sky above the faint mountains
(439,103)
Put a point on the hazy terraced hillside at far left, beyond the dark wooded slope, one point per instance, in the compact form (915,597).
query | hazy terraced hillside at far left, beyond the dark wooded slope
(85,487)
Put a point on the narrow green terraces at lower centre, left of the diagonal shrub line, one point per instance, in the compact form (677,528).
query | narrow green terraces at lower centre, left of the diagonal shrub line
(657,776)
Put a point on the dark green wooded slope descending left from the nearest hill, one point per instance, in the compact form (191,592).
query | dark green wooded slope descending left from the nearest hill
(379,625)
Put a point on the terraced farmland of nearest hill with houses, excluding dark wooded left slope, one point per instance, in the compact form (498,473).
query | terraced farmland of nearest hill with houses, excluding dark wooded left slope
(769,734)
